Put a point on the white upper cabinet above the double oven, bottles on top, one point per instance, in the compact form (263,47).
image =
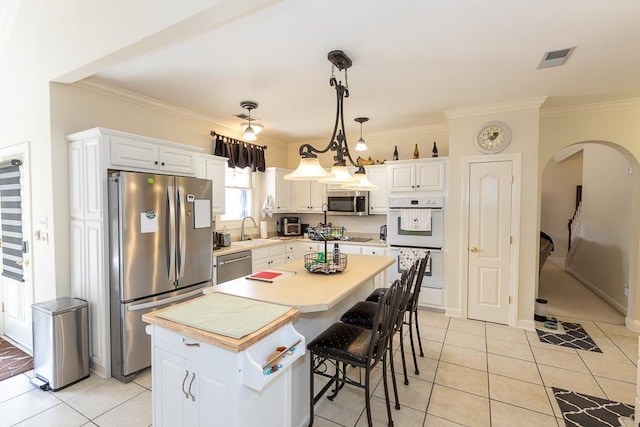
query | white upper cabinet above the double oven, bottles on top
(417,175)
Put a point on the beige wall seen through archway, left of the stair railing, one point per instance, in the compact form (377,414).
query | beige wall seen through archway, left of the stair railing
(558,202)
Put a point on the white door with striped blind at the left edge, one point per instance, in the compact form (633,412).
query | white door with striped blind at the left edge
(17,294)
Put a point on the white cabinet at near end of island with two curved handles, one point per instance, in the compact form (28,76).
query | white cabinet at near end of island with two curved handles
(200,384)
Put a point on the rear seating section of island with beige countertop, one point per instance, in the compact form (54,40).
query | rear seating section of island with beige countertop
(321,300)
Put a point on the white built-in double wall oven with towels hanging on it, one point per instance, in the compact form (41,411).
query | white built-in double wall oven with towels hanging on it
(416,225)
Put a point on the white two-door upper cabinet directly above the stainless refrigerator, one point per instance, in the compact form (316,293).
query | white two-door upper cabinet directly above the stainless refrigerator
(145,154)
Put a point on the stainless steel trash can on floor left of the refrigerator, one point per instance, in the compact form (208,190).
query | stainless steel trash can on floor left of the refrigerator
(60,342)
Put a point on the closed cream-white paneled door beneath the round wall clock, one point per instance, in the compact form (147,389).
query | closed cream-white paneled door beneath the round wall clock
(489,240)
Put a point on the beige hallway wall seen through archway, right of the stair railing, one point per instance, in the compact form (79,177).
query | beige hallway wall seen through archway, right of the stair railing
(601,258)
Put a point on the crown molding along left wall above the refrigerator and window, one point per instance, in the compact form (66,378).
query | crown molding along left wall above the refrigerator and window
(154,104)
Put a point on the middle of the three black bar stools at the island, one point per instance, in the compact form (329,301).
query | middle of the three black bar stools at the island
(362,314)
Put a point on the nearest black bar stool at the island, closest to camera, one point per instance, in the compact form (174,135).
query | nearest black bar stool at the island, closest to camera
(343,344)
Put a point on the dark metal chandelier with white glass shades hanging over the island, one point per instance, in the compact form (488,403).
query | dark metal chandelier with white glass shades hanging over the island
(309,168)
